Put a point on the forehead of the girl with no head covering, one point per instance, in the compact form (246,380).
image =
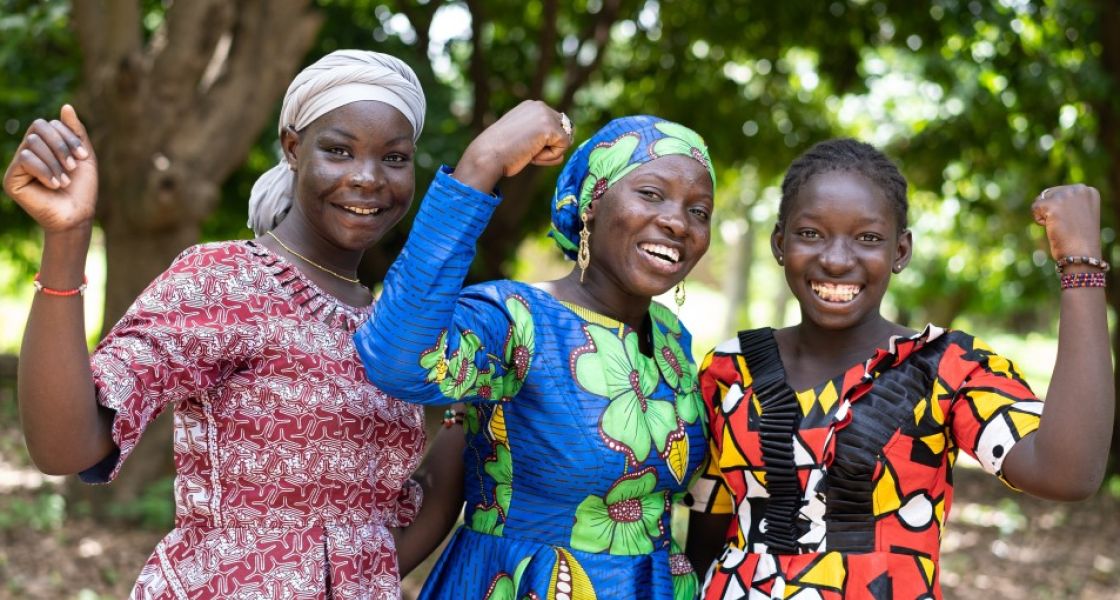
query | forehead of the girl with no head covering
(842,194)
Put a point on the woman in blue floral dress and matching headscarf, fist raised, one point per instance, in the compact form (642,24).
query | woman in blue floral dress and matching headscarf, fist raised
(584,421)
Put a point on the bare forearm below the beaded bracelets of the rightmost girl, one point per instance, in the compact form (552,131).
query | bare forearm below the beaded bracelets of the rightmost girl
(1066,458)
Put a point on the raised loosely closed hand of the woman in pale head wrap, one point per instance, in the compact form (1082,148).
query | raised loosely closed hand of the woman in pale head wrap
(54,174)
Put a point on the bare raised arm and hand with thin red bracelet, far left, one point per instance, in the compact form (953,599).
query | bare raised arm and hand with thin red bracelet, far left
(54,179)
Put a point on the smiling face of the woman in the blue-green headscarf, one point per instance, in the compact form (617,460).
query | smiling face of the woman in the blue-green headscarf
(651,228)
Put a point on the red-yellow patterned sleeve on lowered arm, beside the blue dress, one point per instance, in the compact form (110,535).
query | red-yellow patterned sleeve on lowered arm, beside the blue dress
(710,492)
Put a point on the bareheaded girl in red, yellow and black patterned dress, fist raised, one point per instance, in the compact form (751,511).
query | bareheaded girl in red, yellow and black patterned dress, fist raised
(833,442)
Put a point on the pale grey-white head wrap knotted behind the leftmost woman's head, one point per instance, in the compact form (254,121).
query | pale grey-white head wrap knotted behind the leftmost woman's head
(339,79)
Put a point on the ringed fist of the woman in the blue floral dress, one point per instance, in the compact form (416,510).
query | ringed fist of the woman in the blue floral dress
(531,134)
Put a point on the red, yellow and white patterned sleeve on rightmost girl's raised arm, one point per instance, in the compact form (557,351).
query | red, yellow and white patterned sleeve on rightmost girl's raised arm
(993,409)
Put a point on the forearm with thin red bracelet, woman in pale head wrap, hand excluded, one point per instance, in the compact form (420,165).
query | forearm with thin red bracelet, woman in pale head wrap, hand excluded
(67,430)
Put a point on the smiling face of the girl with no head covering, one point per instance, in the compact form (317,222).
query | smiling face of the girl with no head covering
(841,242)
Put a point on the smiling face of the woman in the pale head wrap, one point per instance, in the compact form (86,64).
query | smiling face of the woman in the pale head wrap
(354,174)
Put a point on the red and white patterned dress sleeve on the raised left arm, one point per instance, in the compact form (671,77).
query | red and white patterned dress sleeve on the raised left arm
(169,348)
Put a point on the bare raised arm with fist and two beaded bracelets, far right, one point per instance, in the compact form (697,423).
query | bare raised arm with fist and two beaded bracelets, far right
(1067,457)
